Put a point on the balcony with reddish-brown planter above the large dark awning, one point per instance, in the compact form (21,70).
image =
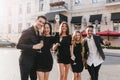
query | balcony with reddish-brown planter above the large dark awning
(58,6)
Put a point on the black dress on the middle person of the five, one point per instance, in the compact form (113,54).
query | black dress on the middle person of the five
(63,55)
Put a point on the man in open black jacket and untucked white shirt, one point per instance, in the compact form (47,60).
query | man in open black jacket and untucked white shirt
(94,55)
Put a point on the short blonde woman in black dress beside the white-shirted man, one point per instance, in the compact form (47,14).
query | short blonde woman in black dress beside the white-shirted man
(77,50)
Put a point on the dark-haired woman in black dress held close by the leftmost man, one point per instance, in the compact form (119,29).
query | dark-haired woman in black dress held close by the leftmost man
(44,58)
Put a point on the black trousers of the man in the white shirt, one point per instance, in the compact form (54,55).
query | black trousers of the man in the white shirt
(94,71)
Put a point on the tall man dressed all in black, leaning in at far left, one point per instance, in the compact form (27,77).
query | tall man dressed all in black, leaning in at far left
(29,43)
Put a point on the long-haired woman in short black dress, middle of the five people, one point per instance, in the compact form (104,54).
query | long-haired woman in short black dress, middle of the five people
(63,45)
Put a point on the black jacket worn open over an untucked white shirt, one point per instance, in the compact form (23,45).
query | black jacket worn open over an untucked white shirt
(98,41)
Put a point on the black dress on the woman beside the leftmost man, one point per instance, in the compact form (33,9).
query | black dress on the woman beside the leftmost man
(44,59)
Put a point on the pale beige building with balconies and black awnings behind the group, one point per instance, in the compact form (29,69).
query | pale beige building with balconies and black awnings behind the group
(103,14)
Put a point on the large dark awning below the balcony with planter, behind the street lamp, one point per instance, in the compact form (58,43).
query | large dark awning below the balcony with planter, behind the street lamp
(51,17)
